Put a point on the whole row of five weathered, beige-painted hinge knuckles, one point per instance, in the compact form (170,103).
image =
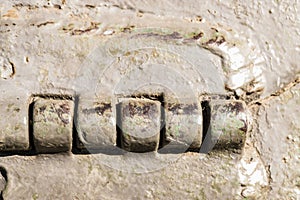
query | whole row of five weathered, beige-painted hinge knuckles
(139,124)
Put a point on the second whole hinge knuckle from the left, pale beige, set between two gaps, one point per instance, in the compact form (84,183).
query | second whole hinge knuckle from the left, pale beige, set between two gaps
(95,123)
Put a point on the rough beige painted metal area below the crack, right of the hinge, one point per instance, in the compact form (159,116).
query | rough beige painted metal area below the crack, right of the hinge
(278,141)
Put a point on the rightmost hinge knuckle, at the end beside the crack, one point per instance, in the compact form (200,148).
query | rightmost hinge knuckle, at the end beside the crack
(228,124)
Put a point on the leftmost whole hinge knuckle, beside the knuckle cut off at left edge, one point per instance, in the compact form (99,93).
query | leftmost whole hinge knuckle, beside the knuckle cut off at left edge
(52,125)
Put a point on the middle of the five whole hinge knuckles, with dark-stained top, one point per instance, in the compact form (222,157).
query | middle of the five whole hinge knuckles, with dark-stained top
(140,124)
